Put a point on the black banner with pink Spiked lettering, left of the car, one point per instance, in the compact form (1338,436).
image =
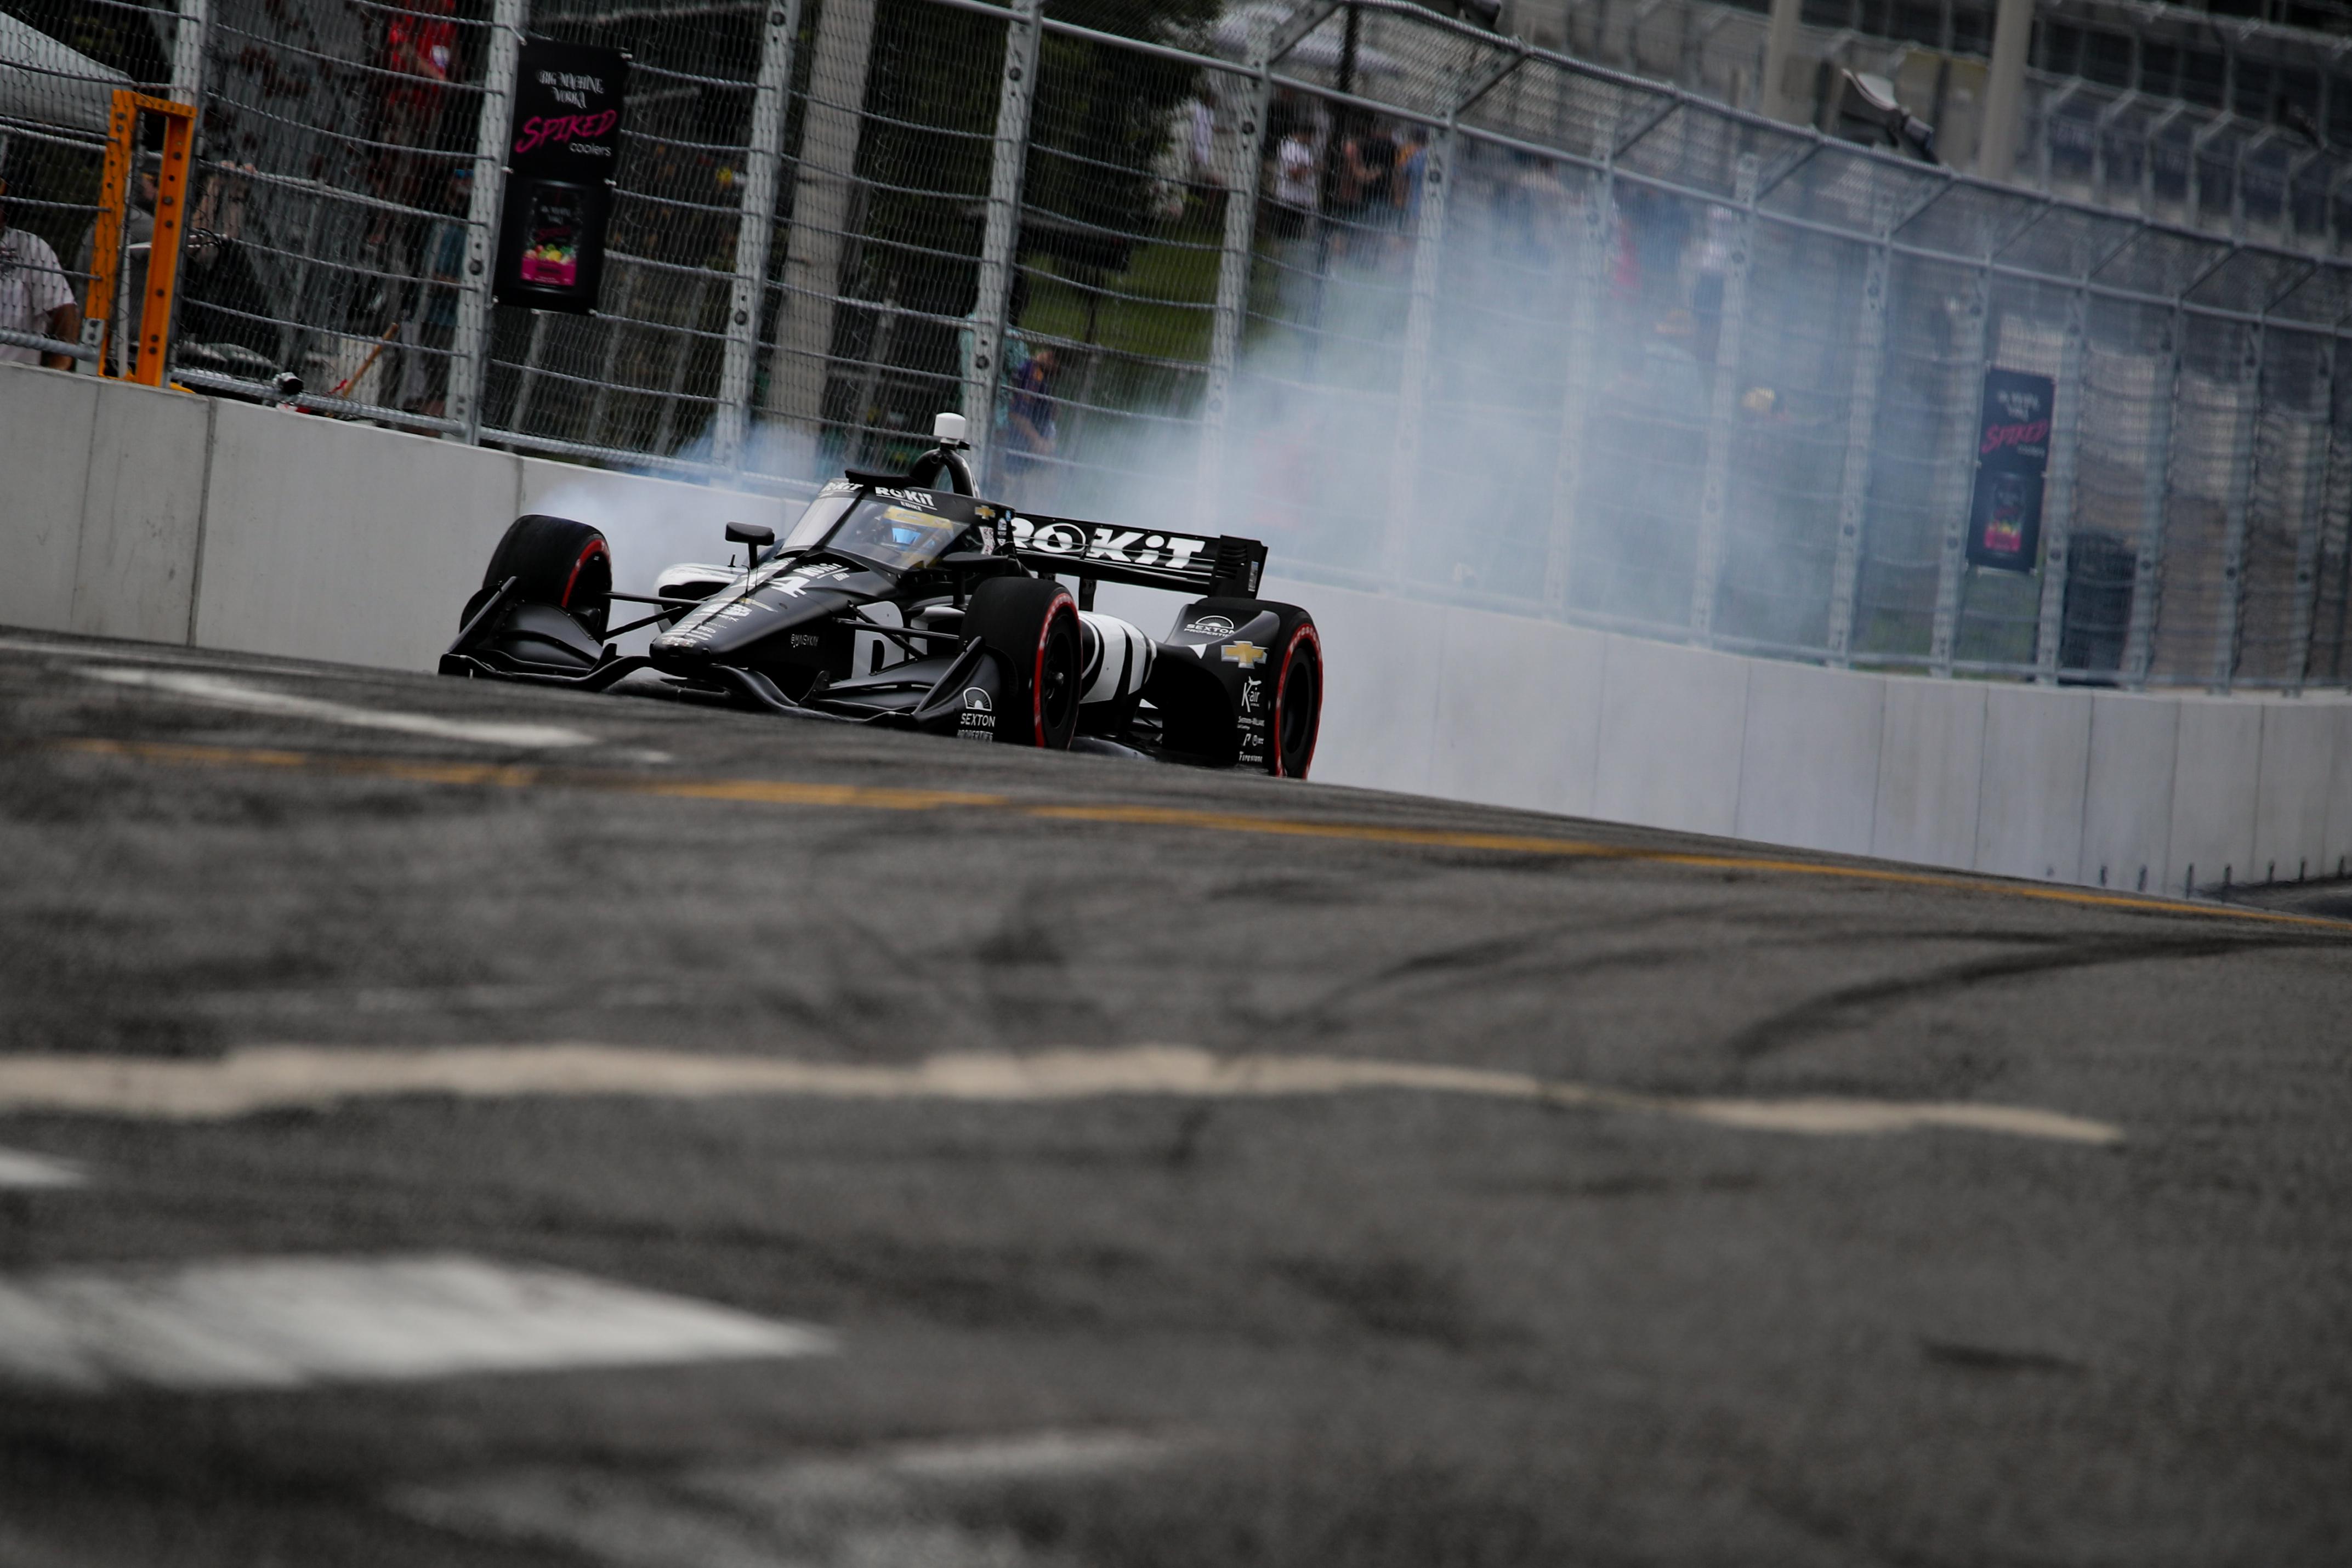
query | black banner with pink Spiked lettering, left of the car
(561,156)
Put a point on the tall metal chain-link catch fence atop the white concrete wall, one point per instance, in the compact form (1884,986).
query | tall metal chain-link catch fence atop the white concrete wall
(1426,309)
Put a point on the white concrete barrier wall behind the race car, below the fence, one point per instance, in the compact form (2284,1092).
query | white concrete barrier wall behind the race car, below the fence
(173,518)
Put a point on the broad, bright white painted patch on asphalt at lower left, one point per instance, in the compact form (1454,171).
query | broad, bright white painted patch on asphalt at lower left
(290,1322)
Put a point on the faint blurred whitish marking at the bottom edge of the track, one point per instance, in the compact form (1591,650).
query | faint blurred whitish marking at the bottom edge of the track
(886,1508)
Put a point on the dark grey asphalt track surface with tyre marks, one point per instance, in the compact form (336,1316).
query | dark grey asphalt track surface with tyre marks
(1565,1306)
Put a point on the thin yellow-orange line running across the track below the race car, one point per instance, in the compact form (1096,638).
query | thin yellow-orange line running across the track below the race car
(789,793)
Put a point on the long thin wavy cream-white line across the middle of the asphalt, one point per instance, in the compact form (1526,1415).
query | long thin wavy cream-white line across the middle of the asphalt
(269,1078)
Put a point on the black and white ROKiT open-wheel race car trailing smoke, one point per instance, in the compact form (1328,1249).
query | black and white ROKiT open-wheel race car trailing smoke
(907,605)
